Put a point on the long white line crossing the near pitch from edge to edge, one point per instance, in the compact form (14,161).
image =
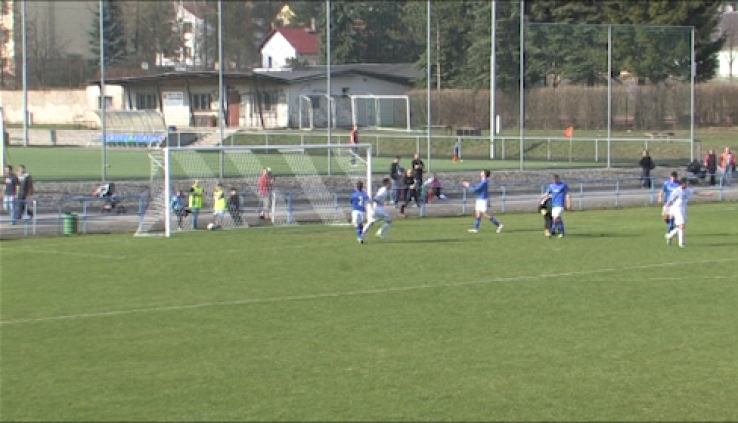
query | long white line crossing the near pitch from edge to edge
(347,293)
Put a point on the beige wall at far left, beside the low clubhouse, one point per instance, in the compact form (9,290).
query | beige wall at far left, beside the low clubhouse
(57,107)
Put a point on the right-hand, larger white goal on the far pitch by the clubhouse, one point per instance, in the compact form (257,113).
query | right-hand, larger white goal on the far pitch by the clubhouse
(388,112)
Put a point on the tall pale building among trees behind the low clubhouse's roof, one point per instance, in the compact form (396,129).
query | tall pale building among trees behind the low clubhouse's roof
(196,34)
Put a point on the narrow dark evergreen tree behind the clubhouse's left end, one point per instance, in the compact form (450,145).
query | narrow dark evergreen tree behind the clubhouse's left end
(113,36)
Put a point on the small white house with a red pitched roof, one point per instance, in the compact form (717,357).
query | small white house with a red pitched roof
(283,44)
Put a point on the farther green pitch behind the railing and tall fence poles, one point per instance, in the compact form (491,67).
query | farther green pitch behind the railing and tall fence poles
(76,164)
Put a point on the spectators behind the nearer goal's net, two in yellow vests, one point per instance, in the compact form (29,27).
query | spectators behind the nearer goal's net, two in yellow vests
(221,204)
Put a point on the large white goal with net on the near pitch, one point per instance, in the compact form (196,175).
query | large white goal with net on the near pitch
(301,184)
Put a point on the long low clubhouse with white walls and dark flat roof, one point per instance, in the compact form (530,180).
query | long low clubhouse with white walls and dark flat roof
(263,98)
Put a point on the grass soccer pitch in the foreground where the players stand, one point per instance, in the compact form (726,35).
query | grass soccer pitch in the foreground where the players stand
(304,324)
